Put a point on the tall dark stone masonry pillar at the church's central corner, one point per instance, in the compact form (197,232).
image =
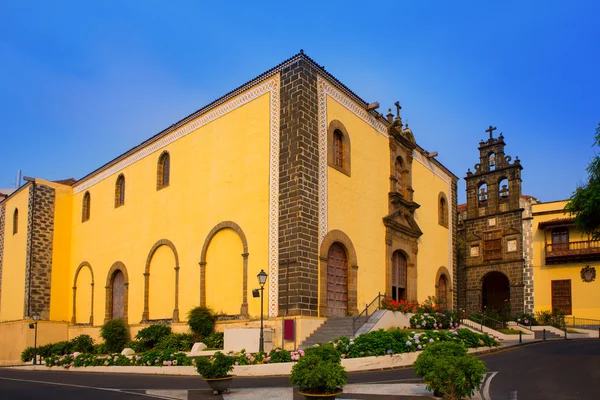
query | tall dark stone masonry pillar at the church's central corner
(298,191)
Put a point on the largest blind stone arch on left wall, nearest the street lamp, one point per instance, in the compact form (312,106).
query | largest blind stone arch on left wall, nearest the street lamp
(237,229)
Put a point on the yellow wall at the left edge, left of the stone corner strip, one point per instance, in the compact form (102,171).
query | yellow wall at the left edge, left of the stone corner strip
(14,260)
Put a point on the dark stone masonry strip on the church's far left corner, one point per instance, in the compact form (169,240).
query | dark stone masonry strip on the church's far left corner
(40,233)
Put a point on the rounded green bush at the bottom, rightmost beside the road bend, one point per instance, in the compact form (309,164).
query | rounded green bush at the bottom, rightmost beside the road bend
(448,371)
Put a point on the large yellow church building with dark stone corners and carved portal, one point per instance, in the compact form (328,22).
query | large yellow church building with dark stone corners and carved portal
(291,173)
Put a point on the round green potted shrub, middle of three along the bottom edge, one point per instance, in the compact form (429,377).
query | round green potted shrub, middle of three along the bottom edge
(319,374)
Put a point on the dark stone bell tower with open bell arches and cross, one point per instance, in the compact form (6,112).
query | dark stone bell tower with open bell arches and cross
(491,269)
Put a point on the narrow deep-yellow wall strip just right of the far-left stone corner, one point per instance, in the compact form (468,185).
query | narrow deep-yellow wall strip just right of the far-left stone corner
(61,281)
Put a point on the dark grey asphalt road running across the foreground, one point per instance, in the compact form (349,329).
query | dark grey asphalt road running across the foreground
(558,370)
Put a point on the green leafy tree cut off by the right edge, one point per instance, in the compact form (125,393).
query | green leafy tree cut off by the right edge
(584,204)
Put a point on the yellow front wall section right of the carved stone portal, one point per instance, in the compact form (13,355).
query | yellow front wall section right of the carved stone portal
(433,244)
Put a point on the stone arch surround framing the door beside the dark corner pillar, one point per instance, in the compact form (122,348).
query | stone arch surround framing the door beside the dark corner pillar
(337,236)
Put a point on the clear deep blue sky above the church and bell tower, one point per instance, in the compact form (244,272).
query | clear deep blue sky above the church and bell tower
(83,82)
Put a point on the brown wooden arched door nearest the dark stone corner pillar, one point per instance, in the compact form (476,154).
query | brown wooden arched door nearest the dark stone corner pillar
(337,281)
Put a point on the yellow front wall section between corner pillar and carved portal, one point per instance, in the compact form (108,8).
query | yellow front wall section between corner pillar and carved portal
(357,204)
